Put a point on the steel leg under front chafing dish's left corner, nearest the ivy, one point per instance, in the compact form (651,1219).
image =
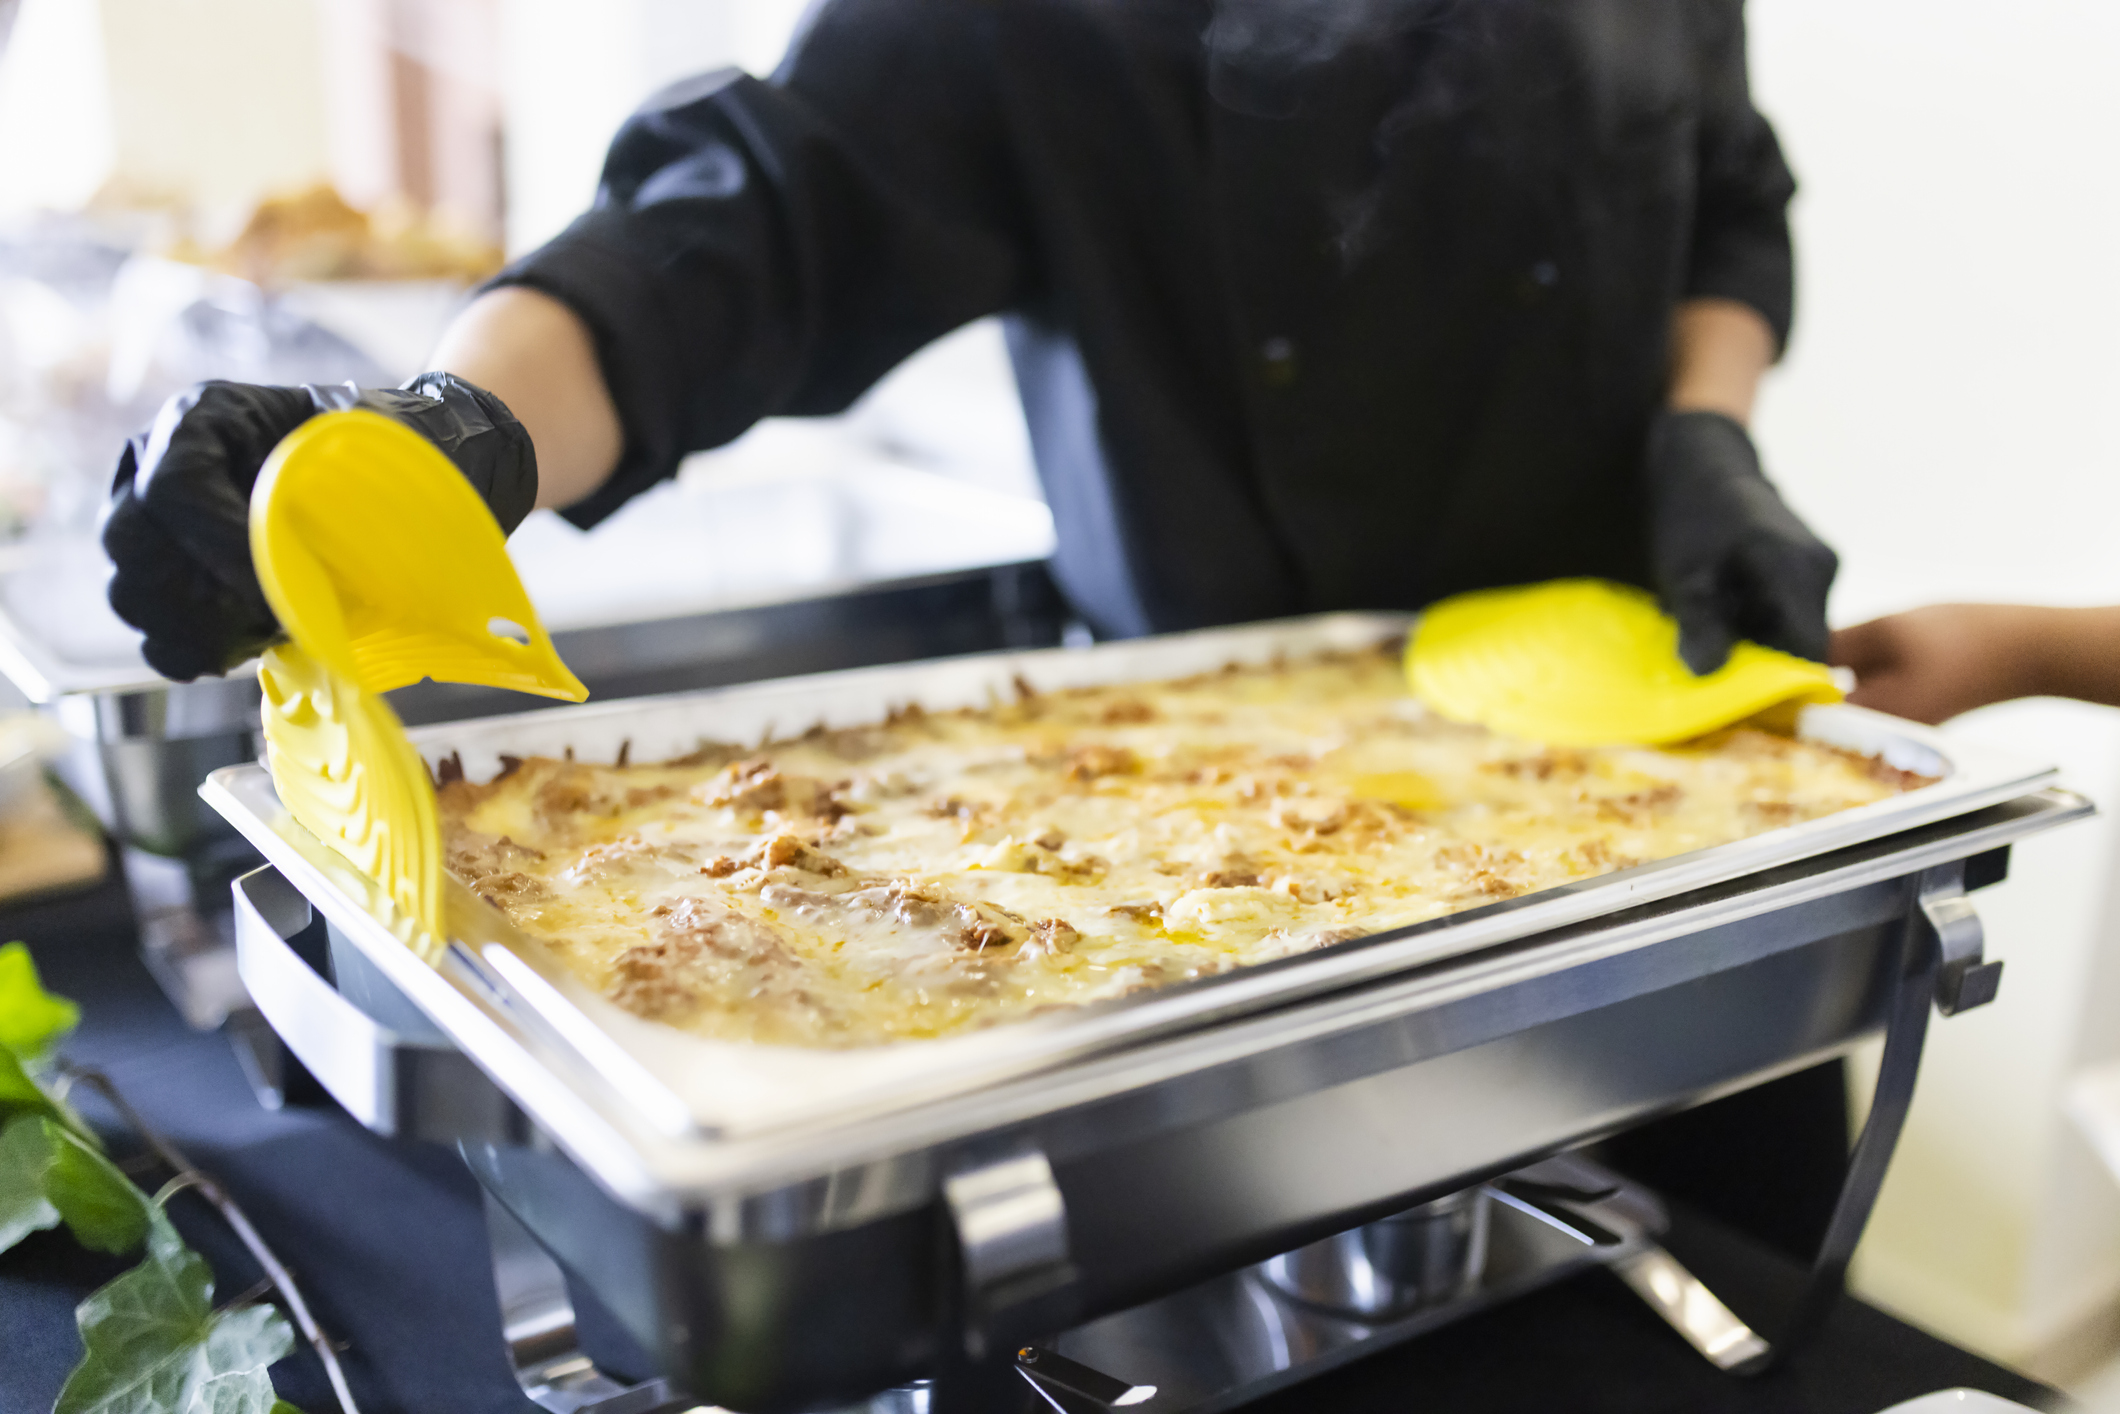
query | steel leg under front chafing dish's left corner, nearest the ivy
(537,1320)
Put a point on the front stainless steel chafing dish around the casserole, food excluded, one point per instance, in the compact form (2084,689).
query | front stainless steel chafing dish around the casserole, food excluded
(777,1231)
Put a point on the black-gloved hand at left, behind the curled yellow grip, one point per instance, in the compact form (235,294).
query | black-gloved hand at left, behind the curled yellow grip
(179,518)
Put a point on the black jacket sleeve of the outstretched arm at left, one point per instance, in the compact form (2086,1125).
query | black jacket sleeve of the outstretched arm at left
(766,249)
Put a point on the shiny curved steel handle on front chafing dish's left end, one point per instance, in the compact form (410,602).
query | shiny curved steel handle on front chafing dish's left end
(370,1070)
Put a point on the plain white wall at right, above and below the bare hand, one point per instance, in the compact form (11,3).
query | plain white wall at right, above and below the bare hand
(1947,419)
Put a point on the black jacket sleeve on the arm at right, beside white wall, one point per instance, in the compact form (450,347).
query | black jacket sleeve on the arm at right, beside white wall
(1742,222)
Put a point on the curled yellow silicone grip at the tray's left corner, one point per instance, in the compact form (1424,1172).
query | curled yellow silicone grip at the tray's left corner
(385,569)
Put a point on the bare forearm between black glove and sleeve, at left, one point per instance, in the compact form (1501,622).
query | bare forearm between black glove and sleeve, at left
(537,357)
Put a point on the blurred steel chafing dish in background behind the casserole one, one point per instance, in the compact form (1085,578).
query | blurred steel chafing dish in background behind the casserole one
(139,745)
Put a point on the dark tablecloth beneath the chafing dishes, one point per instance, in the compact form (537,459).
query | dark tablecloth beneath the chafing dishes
(391,1248)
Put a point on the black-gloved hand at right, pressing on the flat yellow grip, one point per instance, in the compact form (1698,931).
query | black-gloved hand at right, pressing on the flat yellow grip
(1731,561)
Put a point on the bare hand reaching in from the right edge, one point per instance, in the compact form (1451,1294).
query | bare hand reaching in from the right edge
(1930,665)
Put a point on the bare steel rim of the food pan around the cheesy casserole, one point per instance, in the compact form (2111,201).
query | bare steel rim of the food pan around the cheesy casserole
(688,1089)
